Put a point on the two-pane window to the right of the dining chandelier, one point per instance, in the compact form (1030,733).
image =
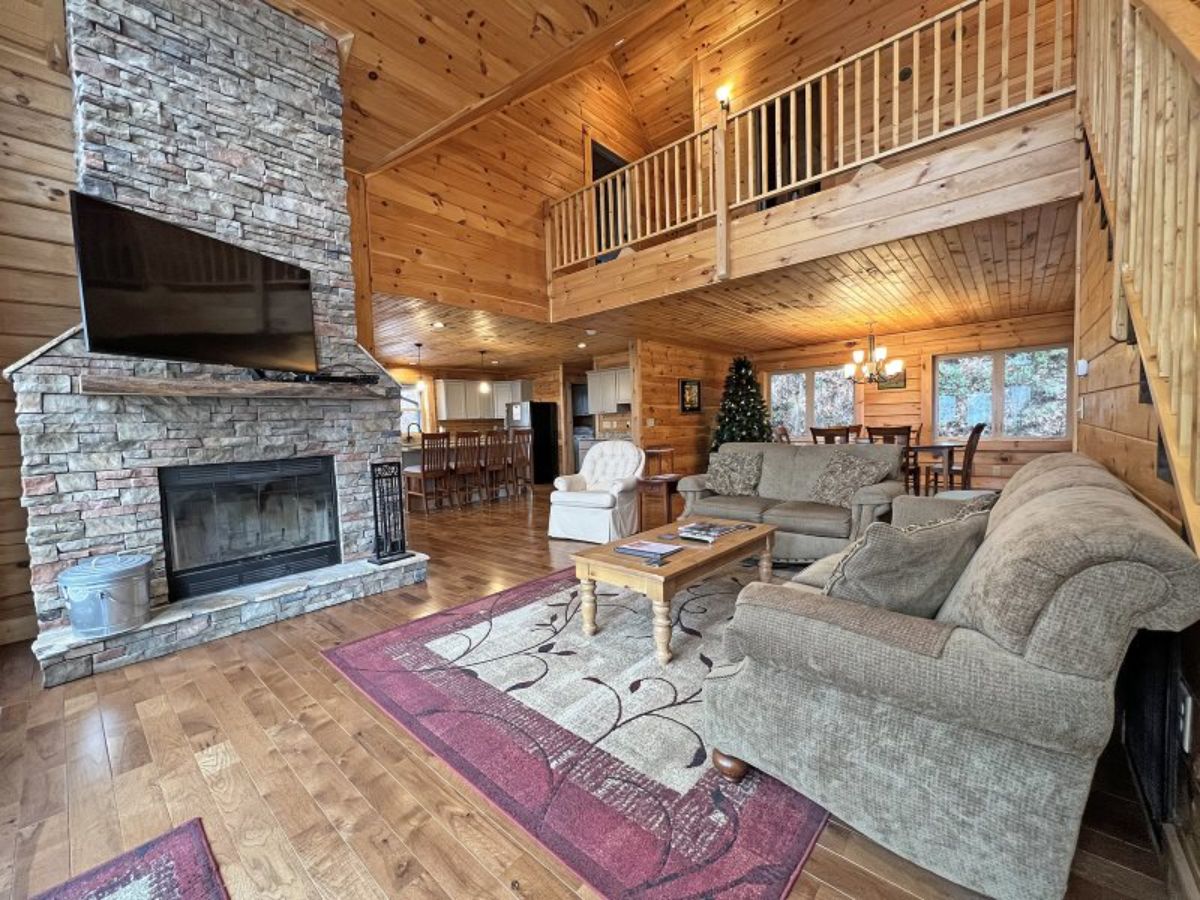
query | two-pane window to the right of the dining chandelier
(1024,393)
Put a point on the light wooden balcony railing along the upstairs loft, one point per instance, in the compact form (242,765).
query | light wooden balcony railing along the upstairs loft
(973,64)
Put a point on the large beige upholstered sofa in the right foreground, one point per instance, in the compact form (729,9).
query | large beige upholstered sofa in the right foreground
(965,742)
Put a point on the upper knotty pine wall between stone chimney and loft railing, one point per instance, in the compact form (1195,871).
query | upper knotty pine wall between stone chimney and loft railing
(463,224)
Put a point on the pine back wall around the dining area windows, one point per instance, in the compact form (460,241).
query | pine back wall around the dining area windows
(998,460)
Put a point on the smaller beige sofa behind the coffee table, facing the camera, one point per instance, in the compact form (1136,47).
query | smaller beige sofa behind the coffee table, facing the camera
(807,531)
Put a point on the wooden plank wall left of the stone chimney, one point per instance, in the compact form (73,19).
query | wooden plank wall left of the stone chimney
(39,298)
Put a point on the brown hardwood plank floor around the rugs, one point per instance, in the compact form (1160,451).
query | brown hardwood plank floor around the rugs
(307,790)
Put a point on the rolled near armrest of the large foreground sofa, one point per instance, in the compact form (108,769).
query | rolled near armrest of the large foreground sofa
(928,668)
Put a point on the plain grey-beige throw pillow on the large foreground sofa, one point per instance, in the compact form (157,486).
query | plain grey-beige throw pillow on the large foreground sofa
(909,571)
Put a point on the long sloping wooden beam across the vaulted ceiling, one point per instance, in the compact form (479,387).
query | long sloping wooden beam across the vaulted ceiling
(596,46)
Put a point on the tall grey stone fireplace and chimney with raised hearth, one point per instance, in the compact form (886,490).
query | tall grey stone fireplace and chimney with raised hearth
(223,117)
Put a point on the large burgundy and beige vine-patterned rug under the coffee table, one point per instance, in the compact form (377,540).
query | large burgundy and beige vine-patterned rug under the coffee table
(587,743)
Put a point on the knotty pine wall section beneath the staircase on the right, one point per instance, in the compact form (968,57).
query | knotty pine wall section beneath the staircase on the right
(1115,428)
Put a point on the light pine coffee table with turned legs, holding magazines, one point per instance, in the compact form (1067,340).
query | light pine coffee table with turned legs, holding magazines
(679,571)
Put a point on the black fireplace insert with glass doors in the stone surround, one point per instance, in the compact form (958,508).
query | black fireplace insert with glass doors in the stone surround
(229,525)
